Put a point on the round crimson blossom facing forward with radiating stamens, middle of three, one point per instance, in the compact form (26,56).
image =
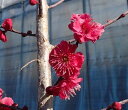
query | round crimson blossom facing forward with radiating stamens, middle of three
(65,61)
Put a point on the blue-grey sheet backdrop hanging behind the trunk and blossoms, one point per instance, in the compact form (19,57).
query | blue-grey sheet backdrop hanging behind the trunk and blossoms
(105,70)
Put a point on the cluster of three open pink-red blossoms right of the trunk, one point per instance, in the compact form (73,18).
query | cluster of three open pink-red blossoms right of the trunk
(64,59)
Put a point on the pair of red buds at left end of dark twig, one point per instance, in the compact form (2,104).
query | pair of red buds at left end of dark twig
(6,26)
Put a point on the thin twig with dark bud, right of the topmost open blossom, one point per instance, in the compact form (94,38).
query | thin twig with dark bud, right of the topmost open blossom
(116,19)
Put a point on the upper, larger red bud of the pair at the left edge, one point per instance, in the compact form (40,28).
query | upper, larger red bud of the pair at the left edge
(7,24)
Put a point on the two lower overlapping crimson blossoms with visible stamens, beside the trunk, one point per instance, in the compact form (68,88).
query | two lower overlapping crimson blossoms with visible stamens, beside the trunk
(67,64)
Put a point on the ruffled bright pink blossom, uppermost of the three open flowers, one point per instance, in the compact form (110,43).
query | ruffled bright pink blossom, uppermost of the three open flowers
(84,28)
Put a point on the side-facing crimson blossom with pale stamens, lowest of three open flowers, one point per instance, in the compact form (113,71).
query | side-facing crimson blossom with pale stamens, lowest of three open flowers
(65,88)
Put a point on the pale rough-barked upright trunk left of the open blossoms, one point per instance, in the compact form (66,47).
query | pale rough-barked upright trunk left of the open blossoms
(44,49)
